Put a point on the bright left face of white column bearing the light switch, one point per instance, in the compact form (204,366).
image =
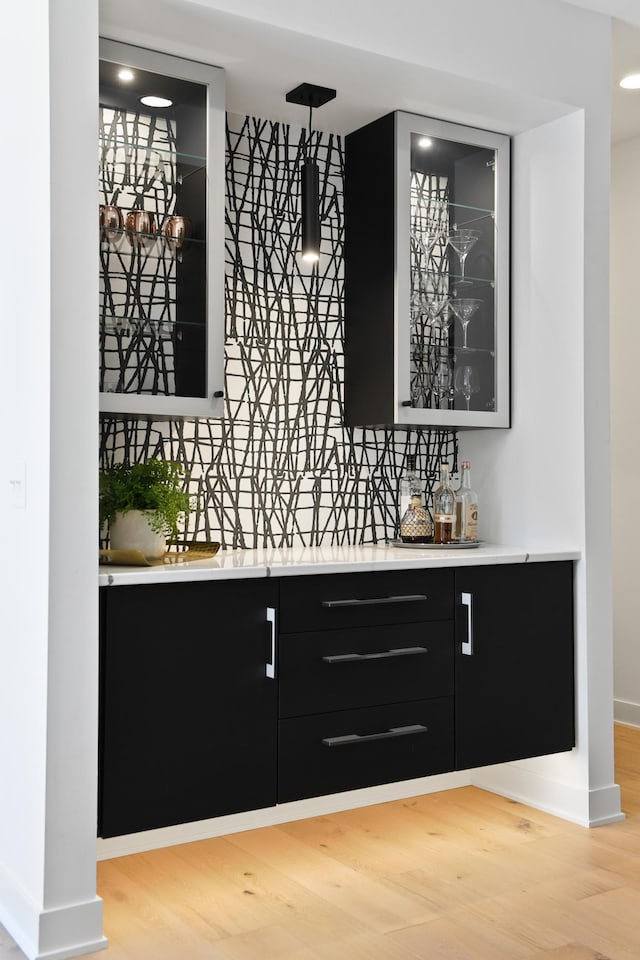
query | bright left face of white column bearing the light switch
(24,428)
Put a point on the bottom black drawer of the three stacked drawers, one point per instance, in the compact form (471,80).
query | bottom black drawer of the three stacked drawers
(361,748)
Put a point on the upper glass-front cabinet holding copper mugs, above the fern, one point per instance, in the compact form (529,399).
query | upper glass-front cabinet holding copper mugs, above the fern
(161,234)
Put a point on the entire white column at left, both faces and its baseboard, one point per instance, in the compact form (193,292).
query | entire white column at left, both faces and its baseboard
(48,424)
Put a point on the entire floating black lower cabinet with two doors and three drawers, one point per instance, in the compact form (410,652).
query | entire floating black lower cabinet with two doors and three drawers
(379,677)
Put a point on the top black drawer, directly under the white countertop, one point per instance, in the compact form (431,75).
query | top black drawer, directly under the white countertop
(364,599)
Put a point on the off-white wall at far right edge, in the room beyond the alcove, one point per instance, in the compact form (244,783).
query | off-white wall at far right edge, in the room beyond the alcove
(625,433)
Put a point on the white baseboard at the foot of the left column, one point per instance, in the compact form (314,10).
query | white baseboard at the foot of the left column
(69,931)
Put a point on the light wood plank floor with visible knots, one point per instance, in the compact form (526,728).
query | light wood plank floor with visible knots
(459,875)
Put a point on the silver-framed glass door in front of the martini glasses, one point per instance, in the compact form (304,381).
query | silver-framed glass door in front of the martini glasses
(452,271)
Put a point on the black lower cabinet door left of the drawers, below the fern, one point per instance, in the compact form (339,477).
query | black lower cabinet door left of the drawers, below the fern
(188,714)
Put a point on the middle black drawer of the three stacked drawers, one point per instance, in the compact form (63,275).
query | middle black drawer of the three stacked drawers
(364,666)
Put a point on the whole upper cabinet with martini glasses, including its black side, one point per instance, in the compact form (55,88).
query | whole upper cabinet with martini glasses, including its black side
(426,274)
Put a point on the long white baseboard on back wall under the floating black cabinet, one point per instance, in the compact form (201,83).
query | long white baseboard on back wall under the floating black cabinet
(282,813)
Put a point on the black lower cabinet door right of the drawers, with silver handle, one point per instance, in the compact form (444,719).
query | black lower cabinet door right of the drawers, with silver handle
(514,690)
